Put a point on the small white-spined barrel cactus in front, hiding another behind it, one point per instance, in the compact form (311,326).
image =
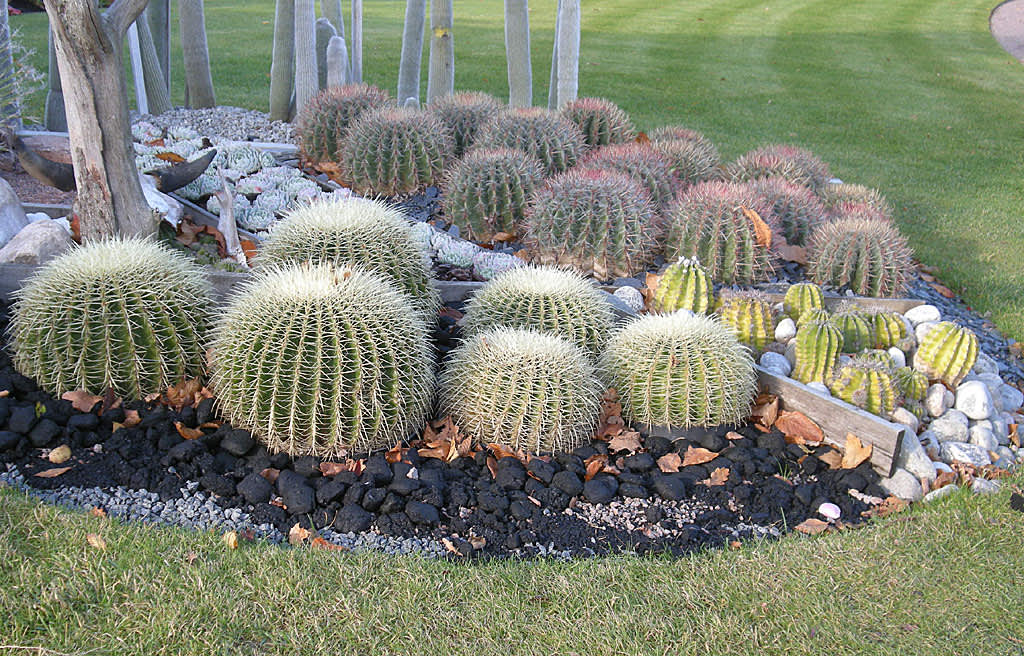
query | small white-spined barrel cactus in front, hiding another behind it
(525,389)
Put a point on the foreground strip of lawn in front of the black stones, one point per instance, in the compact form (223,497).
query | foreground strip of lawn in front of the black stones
(943,580)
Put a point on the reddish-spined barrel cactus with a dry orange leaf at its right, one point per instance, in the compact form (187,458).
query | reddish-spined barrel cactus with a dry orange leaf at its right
(709,222)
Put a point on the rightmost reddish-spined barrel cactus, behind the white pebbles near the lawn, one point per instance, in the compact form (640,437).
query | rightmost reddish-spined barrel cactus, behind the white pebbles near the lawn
(870,257)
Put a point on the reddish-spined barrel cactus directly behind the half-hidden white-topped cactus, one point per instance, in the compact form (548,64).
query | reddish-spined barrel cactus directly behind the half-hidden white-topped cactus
(600,223)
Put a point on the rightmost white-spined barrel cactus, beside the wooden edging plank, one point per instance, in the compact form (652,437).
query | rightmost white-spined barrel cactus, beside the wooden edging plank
(680,370)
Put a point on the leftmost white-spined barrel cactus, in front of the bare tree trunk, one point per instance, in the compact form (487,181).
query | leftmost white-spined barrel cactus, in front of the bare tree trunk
(124,315)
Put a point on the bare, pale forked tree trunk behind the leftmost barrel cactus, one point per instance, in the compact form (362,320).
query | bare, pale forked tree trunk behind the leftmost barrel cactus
(89,52)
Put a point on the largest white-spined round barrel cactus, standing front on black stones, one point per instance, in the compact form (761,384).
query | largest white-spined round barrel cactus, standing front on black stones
(323,362)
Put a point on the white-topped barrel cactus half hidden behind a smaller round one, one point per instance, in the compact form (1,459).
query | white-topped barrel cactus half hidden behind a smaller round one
(546,299)
